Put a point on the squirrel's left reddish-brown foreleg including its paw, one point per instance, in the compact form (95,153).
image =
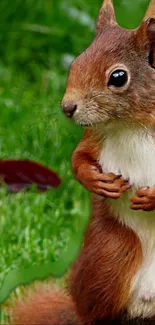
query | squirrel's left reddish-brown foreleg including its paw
(87,170)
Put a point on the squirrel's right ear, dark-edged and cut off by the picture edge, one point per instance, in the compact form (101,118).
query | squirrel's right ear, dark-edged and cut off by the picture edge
(145,38)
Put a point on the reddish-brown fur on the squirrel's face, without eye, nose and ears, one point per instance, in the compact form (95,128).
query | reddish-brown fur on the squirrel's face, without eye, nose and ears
(95,61)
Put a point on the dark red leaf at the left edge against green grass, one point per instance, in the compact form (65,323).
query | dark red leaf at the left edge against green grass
(21,174)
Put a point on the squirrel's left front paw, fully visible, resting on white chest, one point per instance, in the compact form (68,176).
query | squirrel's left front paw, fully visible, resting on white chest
(107,185)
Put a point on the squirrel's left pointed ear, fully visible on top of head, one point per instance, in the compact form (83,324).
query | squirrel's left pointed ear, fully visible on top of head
(106,17)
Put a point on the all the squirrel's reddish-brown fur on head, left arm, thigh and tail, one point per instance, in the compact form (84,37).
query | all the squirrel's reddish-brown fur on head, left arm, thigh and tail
(101,277)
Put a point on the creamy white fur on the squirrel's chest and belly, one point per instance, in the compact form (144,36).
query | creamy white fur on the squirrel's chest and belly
(131,153)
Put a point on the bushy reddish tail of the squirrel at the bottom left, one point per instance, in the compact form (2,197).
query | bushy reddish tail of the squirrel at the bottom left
(45,306)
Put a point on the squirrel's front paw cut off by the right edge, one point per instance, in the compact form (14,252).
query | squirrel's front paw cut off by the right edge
(144,199)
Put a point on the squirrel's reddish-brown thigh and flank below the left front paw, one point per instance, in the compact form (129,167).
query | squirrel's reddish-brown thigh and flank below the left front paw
(100,278)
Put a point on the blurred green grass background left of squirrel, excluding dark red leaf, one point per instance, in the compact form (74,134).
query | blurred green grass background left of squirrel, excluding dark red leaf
(38,41)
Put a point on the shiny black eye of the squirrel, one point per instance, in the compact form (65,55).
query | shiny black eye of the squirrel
(118,78)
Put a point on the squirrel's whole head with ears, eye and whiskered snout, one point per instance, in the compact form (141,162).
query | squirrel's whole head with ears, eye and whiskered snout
(114,78)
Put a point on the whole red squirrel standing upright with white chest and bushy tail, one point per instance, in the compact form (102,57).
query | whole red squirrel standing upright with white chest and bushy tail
(111,93)
